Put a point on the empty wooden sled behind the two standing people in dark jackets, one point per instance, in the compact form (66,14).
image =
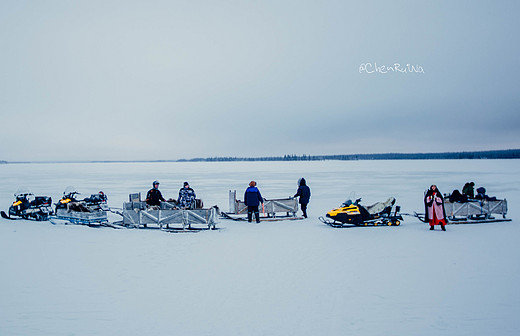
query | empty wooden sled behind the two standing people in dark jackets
(274,209)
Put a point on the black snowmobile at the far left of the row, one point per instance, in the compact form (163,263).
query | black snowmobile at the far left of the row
(39,208)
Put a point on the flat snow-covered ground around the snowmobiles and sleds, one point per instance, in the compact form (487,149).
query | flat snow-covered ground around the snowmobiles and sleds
(281,278)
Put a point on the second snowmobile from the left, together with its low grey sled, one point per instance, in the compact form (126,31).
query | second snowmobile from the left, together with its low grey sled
(89,211)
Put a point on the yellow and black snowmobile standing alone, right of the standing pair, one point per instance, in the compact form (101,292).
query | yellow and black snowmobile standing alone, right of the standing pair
(354,214)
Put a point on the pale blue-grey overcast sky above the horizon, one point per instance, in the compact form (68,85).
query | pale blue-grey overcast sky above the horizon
(147,80)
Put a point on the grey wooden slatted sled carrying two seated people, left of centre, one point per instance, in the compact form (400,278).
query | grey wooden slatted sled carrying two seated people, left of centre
(168,215)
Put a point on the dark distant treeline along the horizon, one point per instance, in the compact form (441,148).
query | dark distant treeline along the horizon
(494,154)
